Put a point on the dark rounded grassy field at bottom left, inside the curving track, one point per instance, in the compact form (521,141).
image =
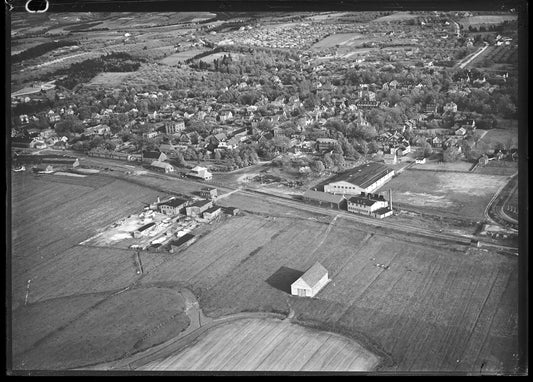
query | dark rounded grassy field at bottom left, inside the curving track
(86,329)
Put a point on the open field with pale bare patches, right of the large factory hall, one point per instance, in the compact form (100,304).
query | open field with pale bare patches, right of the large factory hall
(451,193)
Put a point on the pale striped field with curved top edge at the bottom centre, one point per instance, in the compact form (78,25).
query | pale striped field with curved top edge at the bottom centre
(262,345)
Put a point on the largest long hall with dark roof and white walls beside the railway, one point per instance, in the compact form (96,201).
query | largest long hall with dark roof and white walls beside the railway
(365,178)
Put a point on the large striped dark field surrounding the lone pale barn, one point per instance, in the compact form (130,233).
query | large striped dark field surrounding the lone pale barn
(432,309)
